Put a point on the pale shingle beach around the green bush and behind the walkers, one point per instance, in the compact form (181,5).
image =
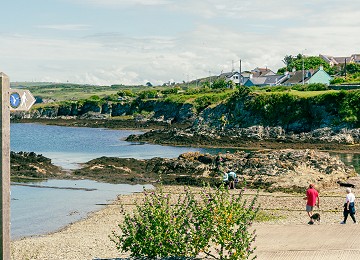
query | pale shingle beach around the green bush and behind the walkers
(89,238)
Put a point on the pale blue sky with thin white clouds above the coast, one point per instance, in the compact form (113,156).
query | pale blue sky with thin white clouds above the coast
(131,42)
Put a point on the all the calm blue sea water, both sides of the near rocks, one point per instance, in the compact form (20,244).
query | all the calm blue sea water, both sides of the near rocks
(39,210)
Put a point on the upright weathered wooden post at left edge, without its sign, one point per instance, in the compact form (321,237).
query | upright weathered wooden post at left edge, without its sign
(5,166)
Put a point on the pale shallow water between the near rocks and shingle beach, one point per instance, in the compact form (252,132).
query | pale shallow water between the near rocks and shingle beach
(40,208)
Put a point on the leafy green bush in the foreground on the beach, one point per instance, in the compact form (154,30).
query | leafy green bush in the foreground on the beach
(160,227)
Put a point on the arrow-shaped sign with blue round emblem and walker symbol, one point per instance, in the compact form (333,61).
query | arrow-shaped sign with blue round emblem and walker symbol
(21,100)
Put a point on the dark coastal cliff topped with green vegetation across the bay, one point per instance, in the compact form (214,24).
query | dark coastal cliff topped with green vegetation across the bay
(327,118)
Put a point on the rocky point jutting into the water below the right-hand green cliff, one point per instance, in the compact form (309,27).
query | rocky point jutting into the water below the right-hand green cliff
(255,138)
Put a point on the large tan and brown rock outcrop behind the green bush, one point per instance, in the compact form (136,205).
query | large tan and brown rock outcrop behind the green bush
(290,170)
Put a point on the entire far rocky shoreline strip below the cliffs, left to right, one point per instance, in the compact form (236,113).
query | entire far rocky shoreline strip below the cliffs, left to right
(251,138)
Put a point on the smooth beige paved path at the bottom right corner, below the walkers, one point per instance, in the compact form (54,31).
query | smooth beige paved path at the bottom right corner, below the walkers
(310,242)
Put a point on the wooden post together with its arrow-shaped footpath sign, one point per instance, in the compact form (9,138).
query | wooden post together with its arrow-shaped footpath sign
(11,100)
